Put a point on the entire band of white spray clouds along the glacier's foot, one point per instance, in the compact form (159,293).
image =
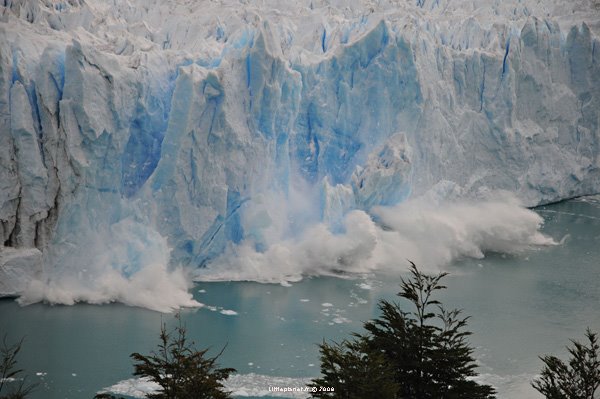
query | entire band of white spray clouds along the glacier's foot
(287,238)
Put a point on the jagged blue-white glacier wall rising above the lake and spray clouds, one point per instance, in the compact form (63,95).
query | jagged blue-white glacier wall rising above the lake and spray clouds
(225,122)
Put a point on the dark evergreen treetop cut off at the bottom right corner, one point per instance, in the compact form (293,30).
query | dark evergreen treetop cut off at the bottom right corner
(579,379)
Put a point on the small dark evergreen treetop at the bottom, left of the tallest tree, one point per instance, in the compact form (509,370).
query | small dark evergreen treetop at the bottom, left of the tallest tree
(182,371)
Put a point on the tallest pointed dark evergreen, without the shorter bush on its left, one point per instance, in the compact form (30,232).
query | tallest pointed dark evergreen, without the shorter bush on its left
(428,346)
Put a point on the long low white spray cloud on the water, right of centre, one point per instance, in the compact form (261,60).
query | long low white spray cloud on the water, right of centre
(430,233)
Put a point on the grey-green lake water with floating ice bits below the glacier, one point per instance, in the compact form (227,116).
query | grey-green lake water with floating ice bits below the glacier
(521,307)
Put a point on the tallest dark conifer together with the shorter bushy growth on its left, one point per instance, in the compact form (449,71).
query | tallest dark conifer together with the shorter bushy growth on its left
(420,354)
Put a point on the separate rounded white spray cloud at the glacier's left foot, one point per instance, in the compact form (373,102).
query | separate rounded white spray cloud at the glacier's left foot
(125,262)
